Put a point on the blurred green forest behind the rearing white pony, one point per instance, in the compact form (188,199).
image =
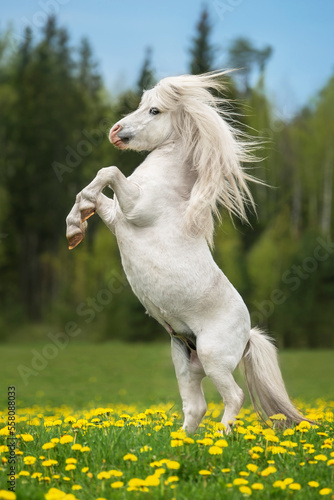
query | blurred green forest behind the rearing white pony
(54,121)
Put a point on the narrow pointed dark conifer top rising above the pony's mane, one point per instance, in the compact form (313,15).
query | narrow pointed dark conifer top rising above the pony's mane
(202,51)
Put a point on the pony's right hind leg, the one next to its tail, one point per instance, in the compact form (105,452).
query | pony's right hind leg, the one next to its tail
(219,360)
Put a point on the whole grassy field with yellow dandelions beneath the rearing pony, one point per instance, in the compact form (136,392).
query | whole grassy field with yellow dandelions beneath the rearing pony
(102,422)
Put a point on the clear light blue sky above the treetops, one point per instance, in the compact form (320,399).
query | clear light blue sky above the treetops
(301,33)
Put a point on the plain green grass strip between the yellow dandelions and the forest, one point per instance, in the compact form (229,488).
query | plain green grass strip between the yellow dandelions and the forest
(116,372)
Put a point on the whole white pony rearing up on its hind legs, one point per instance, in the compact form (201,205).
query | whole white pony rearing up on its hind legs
(162,217)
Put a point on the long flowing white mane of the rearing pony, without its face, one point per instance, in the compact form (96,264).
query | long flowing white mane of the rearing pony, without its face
(213,147)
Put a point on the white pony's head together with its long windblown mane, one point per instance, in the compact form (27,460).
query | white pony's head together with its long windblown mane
(186,109)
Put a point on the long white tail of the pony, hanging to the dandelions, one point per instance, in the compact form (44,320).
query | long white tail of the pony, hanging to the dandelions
(264,379)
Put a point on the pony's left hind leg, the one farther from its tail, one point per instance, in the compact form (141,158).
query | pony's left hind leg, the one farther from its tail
(189,373)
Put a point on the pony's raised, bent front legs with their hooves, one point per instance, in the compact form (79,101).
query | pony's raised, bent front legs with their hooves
(91,200)
